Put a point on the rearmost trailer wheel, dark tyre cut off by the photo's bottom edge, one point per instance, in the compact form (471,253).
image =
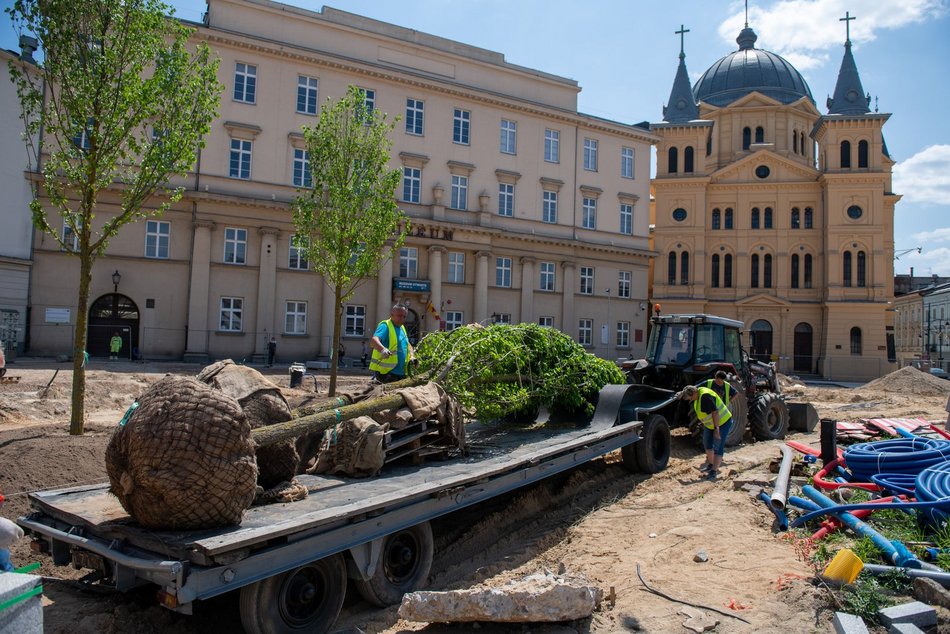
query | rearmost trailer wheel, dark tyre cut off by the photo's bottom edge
(306,599)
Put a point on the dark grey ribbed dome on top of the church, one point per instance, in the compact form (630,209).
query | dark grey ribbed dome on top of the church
(748,70)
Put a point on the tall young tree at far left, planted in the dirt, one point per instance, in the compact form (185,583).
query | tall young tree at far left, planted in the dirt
(118,104)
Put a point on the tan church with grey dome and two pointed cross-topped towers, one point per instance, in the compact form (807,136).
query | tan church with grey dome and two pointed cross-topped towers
(773,212)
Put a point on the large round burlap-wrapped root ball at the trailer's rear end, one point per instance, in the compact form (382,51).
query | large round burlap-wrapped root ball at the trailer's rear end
(184,458)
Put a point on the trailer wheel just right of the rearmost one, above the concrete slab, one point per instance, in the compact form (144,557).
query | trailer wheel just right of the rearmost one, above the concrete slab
(404,565)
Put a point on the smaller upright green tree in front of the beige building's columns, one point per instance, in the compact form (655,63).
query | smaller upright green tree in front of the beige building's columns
(348,224)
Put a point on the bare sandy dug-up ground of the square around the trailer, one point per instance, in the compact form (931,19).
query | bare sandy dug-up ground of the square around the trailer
(623,531)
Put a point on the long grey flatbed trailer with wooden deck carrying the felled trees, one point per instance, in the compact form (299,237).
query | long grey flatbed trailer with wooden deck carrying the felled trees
(291,561)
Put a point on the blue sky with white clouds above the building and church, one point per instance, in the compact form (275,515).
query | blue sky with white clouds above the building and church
(623,53)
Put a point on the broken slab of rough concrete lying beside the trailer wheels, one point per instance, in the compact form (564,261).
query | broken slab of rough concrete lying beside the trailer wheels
(539,598)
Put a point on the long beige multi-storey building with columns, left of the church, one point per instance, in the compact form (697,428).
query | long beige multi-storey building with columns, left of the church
(522,209)
